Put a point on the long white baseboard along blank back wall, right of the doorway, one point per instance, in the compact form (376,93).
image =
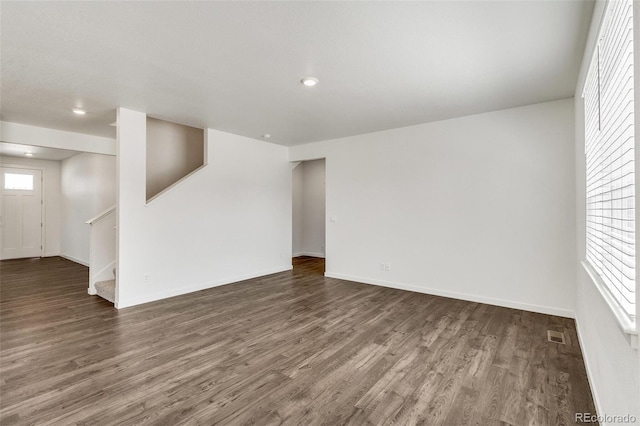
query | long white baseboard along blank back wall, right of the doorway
(455,295)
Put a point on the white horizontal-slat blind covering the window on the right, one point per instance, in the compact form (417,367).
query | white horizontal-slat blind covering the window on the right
(609,138)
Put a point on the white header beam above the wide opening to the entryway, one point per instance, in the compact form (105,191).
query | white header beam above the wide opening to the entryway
(51,138)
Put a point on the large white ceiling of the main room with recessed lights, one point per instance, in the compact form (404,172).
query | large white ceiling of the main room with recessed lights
(236,66)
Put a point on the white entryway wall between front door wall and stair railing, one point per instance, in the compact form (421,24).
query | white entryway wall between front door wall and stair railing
(88,183)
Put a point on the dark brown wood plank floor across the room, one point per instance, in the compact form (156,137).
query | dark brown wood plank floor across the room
(292,348)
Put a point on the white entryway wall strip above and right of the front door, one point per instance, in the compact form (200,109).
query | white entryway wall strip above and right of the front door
(51,194)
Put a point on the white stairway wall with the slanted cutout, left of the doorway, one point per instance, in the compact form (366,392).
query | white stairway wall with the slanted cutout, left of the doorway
(229,221)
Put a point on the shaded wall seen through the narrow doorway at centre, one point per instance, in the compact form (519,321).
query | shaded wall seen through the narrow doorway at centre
(309,209)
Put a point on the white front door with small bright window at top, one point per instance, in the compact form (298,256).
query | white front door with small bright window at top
(20,213)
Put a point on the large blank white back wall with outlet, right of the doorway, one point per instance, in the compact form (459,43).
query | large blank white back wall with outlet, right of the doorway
(480,207)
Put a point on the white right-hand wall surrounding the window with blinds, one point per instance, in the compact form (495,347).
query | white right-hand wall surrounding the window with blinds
(613,366)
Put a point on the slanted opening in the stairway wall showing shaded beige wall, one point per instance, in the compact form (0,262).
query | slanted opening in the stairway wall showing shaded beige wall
(173,152)
